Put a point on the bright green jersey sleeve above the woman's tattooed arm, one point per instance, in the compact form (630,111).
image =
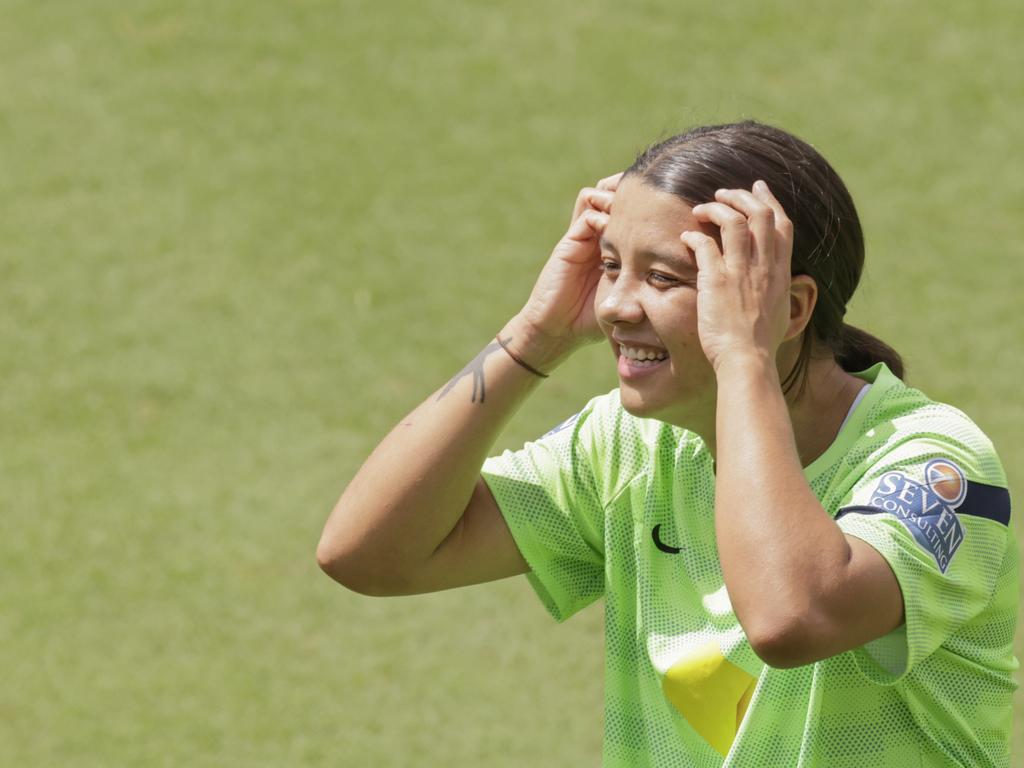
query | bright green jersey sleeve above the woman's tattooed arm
(550,496)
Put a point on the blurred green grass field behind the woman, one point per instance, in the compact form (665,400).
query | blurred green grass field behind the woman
(240,240)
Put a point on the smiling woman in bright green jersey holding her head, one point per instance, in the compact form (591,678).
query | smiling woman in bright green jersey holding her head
(804,562)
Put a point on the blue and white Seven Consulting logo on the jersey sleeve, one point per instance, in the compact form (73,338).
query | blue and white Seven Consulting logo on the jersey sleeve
(927,509)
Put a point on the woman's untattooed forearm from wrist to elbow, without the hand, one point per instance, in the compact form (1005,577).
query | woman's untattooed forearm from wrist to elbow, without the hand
(781,551)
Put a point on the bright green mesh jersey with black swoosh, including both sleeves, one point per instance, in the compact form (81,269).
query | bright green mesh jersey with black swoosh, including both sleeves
(610,505)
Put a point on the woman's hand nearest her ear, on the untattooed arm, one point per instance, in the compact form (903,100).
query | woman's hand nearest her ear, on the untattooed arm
(744,293)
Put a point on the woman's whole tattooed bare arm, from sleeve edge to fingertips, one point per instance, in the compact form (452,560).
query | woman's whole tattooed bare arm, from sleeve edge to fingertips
(417,518)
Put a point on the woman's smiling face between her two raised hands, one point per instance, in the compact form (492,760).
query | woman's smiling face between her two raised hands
(647,305)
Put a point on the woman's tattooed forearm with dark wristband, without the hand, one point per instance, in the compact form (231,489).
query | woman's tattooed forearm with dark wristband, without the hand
(412,492)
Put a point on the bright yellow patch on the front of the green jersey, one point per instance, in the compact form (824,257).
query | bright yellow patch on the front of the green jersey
(711,693)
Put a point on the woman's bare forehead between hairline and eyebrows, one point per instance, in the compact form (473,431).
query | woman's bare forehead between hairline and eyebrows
(644,218)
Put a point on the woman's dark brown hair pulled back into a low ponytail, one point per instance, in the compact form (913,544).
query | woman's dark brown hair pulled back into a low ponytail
(828,244)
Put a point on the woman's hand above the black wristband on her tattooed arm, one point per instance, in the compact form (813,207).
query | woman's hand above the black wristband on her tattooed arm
(560,315)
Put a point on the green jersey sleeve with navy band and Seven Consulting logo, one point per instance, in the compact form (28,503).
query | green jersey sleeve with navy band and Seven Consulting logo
(937,510)
